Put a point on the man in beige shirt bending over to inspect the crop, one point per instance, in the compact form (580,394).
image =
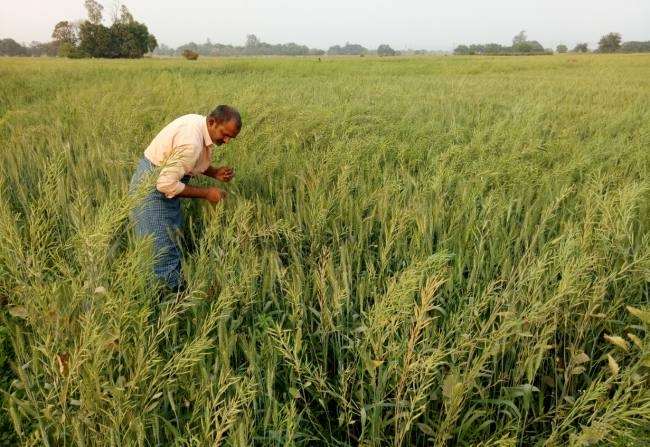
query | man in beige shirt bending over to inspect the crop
(182,149)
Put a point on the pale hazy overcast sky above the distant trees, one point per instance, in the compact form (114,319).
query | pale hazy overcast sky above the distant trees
(416,24)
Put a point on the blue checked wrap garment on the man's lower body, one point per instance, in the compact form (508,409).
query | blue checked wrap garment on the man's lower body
(161,218)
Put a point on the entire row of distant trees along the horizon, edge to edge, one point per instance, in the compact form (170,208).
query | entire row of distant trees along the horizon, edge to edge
(127,38)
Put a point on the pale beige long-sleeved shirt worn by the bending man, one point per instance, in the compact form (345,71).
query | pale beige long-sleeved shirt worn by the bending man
(182,147)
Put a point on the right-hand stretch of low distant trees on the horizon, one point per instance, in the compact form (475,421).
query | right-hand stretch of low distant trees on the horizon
(609,43)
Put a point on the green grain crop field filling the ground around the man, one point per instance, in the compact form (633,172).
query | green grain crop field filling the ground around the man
(414,251)
